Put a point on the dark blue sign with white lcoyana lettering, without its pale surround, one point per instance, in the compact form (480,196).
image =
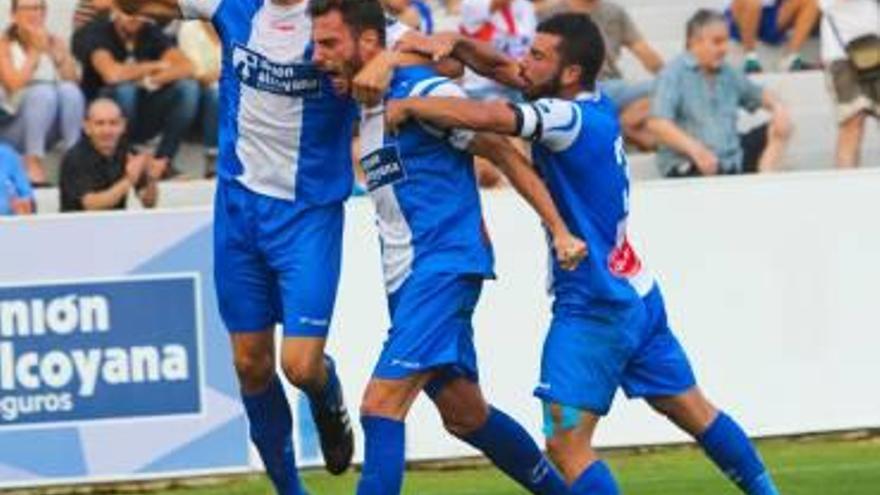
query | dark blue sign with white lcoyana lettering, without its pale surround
(100,350)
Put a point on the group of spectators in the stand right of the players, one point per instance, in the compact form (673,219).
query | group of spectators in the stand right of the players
(689,111)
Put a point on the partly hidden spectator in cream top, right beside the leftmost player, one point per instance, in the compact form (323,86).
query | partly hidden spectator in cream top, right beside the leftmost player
(200,43)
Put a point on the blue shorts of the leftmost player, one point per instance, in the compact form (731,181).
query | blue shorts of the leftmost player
(275,262)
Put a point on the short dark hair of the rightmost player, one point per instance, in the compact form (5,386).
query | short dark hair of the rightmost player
(582,44)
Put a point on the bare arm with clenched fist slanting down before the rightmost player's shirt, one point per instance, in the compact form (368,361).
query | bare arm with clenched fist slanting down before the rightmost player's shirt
(569,249)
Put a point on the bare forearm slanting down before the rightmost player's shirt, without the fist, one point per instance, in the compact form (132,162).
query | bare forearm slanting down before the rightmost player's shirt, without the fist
(522,177)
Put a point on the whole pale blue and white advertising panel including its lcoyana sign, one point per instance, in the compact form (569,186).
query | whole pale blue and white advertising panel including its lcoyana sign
(114,364)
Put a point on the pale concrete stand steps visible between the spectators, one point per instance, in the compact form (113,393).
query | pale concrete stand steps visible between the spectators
(805,93)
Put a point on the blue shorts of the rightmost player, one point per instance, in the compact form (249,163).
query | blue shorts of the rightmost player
(588,356)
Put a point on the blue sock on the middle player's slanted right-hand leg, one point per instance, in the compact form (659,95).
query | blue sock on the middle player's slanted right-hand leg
(510,447)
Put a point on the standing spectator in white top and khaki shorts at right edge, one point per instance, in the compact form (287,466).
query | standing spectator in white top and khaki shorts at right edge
(856,97)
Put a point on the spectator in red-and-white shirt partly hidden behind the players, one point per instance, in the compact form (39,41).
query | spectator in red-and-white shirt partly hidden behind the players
(508,25)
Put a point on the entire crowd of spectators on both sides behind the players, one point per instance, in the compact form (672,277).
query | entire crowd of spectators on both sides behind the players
(149,87)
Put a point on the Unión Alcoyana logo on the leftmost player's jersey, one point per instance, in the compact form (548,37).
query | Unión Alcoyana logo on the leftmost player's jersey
(296,80)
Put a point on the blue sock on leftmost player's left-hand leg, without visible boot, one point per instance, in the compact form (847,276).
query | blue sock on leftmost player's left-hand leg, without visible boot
(271,426)
